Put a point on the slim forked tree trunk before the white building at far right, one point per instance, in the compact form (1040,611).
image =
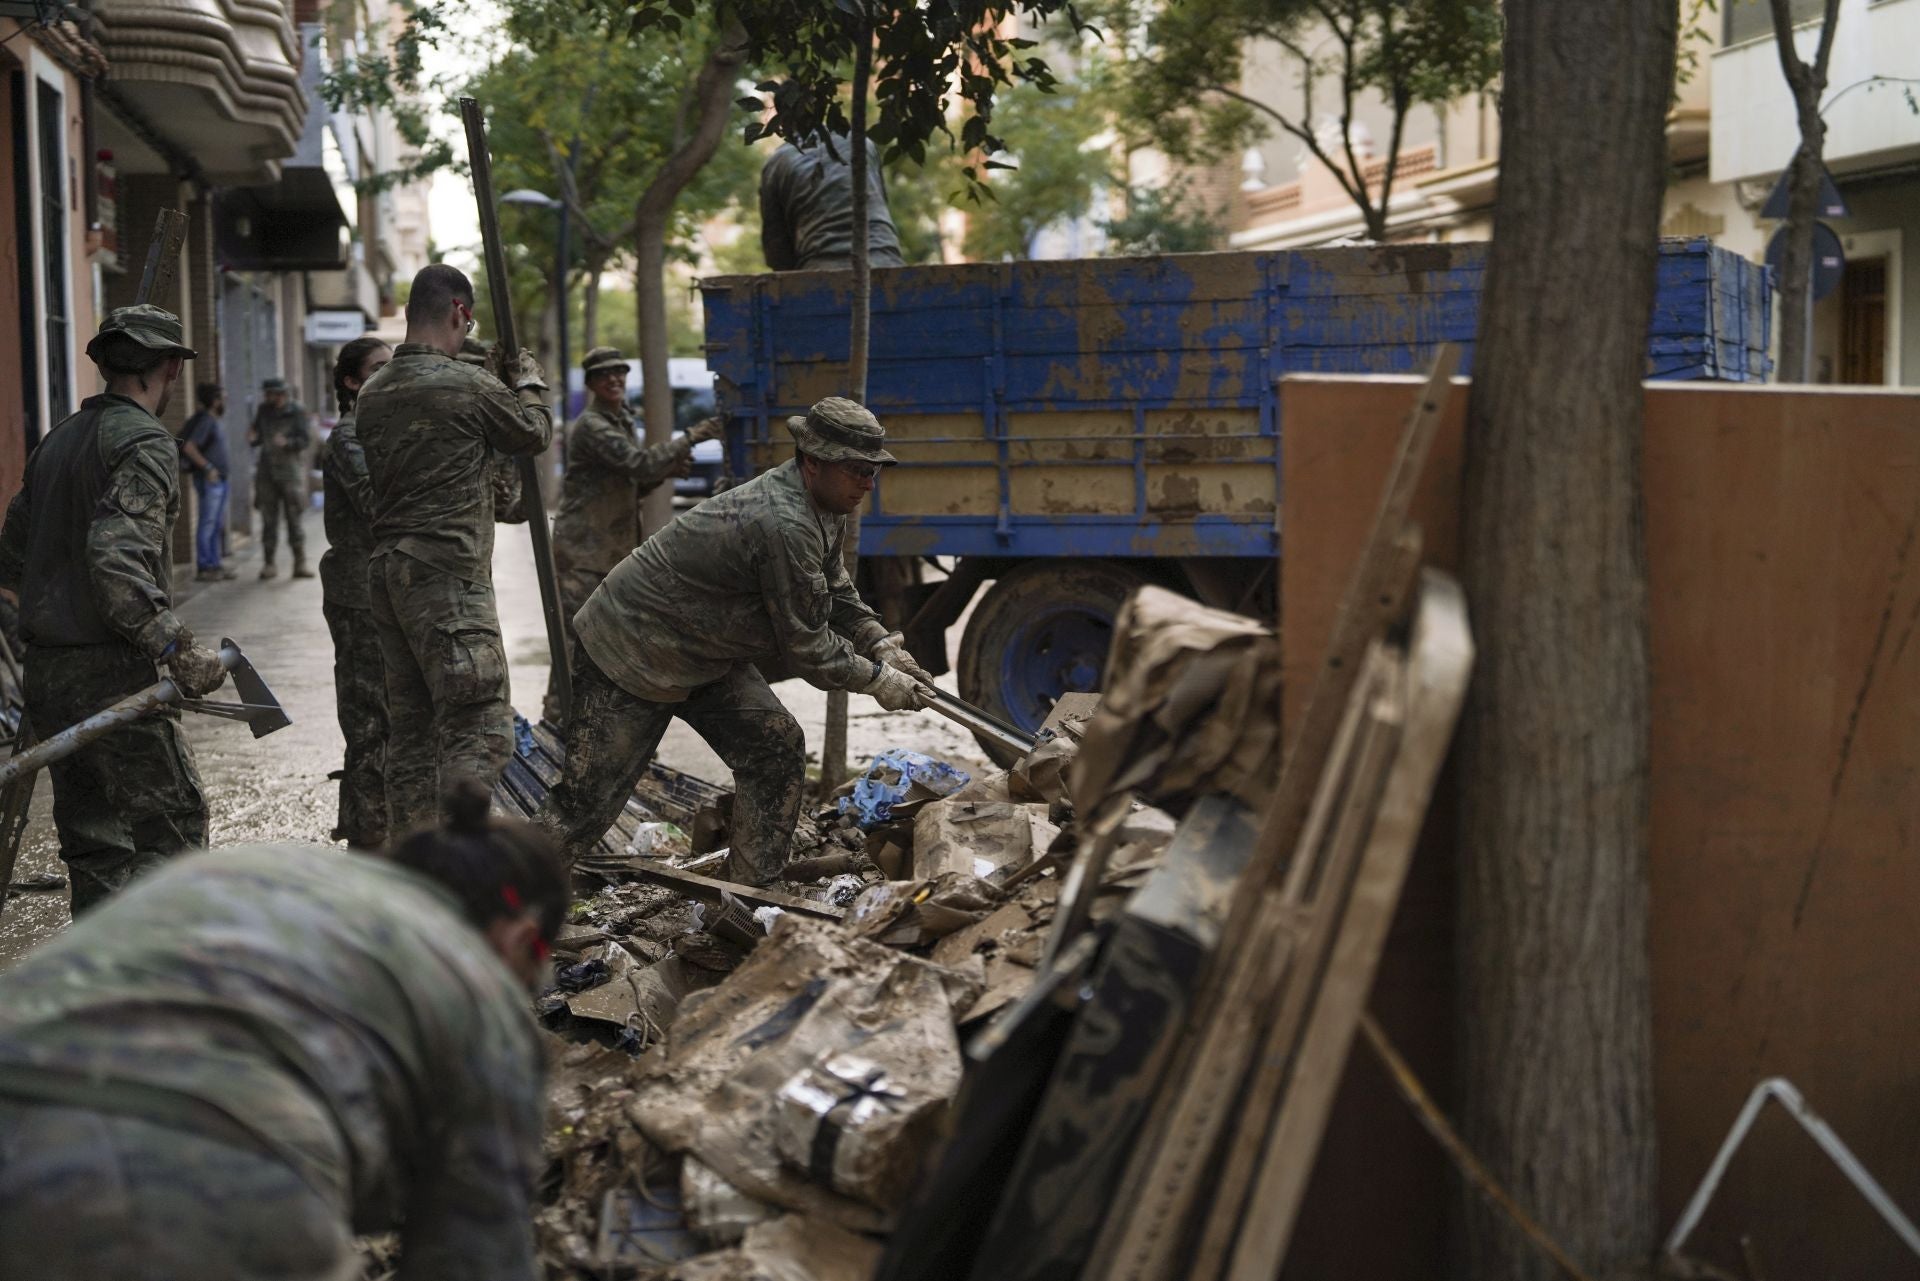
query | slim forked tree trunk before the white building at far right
(1808,84)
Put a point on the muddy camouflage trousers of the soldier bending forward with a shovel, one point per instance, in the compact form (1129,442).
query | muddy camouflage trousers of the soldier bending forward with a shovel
(613,735)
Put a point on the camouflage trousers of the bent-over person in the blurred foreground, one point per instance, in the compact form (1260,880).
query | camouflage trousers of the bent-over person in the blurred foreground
(89,1196)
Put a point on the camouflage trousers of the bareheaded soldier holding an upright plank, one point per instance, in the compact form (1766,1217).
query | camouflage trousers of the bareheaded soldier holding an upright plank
(446,685)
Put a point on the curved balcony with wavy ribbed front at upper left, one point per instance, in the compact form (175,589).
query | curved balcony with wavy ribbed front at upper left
(216,80)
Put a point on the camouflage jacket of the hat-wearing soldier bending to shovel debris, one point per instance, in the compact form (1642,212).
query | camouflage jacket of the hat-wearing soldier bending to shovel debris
(748,577)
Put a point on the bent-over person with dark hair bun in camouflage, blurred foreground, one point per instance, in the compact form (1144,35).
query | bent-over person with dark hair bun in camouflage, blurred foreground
(262,1051)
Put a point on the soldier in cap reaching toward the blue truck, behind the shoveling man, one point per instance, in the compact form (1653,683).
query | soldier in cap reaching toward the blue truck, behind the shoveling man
(608,475)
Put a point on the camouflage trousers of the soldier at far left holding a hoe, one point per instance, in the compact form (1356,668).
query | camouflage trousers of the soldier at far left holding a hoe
(128,802)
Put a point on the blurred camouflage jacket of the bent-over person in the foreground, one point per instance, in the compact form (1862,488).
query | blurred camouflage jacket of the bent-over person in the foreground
(333,1009)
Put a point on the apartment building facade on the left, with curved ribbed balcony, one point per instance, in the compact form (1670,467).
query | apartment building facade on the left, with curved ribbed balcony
(118,109)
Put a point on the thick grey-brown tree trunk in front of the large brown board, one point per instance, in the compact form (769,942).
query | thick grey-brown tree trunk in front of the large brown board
(1554,1003)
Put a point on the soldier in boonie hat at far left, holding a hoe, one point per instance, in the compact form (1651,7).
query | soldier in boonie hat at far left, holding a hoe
(89,550)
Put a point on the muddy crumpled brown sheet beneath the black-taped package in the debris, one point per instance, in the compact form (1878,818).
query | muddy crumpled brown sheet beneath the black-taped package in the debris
(805,994)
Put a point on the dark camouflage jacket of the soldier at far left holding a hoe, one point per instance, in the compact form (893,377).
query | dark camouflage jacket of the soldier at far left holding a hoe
(87,541)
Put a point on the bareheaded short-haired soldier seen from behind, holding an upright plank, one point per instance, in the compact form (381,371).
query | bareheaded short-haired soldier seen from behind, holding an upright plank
(433,431)
